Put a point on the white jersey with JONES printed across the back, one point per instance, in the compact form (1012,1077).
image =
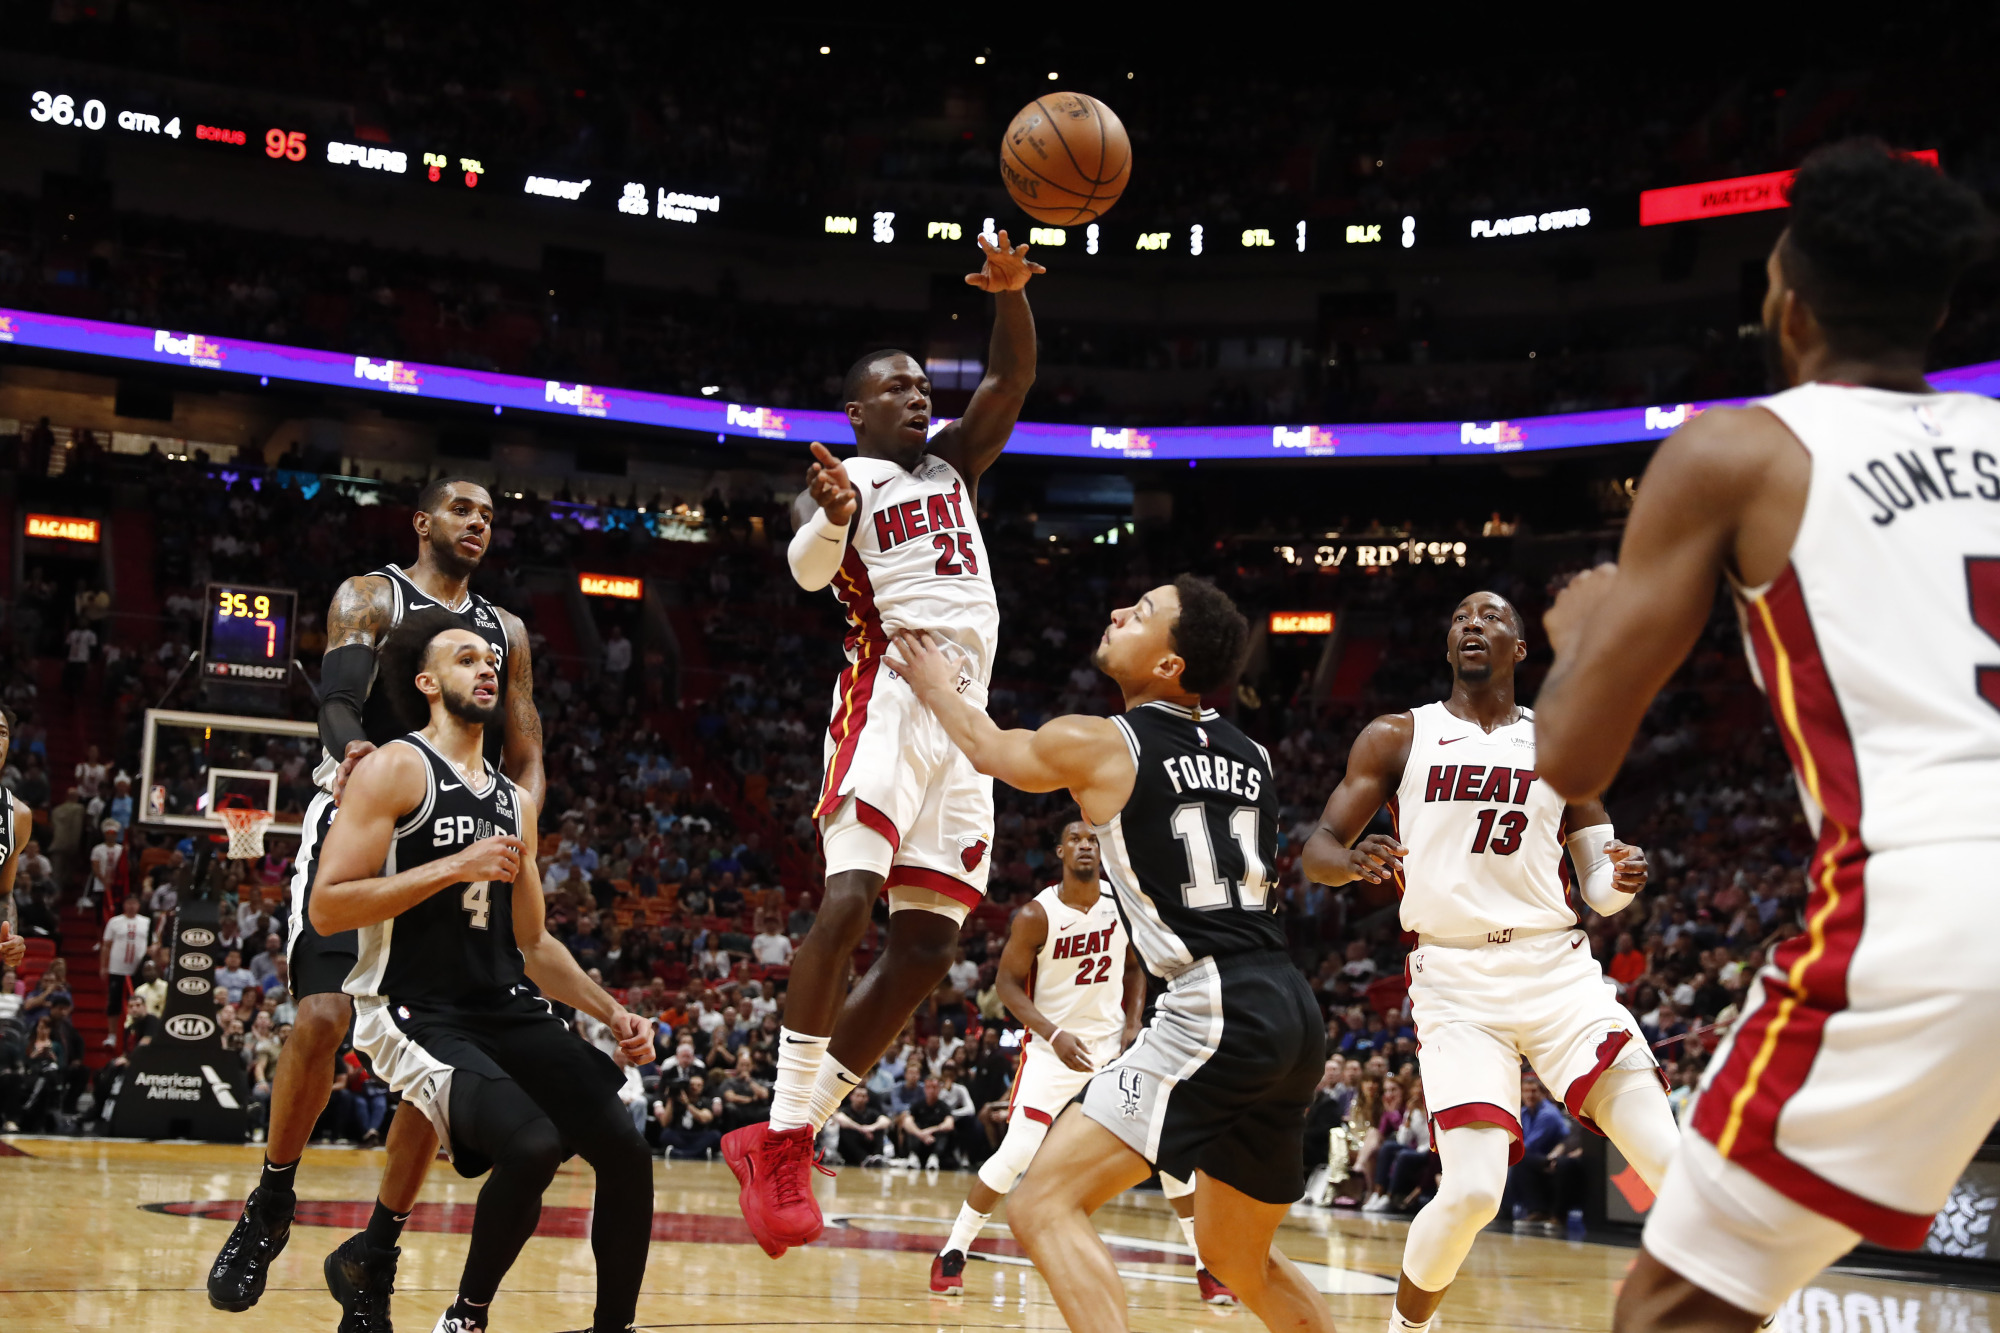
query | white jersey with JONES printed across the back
(1881,641)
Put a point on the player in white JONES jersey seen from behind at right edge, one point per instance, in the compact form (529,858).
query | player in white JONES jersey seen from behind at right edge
(1857,517)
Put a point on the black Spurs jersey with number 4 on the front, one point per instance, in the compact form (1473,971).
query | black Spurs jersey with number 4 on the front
(457,946)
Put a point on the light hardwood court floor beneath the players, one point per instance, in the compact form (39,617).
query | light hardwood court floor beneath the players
(121,1236)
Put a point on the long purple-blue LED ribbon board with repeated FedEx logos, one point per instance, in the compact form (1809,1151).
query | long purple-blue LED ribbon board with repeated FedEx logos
(1413,439)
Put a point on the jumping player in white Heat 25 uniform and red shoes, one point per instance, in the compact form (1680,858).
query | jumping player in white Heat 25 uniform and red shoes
(897,535)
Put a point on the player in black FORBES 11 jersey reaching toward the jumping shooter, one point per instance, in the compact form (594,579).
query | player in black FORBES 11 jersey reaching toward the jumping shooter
(1219,1084)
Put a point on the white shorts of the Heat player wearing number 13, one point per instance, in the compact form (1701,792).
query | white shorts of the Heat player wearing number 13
(1481,1006)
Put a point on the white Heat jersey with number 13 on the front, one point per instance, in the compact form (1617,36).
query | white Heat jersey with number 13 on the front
(1485,834)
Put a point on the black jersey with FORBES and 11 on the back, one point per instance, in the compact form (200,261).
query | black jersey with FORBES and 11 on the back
(1191,852)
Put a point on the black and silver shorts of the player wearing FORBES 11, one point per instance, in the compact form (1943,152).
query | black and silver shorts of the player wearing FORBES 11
(1223,1078)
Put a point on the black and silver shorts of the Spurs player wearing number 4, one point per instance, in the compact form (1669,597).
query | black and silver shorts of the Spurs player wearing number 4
(417,1048)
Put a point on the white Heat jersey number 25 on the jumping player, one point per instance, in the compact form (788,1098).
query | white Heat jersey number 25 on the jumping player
(917,561)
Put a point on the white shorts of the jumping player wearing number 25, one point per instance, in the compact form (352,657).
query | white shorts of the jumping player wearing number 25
(893,770)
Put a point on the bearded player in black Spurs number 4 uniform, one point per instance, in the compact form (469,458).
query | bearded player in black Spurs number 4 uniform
(429,864)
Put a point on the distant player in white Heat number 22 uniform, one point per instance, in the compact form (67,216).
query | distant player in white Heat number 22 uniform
(1069,978)
